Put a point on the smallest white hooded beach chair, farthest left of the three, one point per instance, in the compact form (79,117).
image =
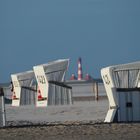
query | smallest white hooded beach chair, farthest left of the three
(24,88)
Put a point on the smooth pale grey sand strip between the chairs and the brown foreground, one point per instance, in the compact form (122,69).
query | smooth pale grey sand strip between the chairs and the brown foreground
(79,111)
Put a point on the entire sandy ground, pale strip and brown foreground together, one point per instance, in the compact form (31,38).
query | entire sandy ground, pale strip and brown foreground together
(80,121)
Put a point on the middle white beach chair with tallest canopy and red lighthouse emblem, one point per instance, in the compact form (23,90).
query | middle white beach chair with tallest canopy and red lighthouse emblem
(48,77)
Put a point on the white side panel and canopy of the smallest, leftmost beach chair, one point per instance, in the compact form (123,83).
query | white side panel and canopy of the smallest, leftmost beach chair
(20,80)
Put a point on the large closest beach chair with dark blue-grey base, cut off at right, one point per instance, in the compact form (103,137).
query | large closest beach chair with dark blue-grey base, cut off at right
(122,84)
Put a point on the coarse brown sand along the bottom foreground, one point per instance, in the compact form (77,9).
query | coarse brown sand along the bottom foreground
(74,132)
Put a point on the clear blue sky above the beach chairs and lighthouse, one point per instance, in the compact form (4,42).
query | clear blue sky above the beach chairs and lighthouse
(101,32)
